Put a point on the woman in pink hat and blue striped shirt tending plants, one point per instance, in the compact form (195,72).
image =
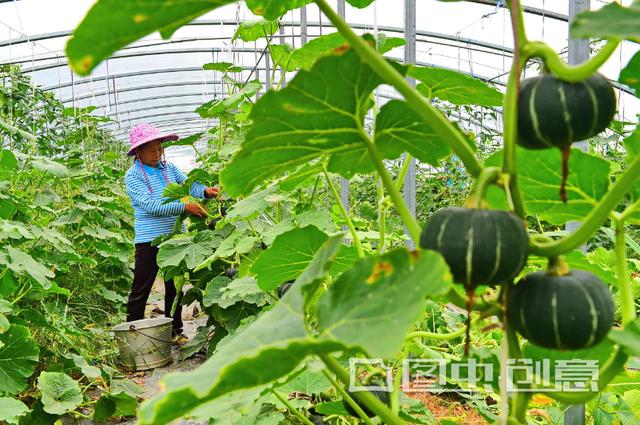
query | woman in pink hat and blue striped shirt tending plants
(145,182)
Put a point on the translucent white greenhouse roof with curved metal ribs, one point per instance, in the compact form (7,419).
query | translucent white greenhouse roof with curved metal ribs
(162,81)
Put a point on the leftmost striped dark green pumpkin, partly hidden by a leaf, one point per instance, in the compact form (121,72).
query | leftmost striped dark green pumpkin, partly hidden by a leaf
(480,246)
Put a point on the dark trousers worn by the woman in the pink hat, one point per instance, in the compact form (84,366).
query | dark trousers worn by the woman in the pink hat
(144,274)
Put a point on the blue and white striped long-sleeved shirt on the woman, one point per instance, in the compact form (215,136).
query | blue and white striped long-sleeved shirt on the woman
(152,217)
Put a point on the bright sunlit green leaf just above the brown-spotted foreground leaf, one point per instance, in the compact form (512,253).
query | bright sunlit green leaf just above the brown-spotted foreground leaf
(289,255)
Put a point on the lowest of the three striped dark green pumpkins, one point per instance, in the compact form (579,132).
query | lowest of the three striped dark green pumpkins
(569,312)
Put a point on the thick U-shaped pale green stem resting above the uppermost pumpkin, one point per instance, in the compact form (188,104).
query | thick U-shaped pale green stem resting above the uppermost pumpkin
(539,49)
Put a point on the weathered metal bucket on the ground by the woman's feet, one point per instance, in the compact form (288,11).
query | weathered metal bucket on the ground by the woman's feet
(144,344)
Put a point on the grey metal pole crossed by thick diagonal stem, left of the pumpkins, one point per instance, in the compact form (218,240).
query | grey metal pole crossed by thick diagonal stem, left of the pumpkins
(409,191)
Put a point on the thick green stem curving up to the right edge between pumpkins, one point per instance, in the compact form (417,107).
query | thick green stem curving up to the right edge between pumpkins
(594,220)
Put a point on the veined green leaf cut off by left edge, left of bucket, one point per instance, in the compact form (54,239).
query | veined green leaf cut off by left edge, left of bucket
(18,359)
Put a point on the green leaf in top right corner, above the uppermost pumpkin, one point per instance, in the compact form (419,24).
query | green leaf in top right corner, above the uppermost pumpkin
(613,20)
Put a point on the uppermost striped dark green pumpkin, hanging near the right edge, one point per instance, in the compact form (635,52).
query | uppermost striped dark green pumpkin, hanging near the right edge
(556,113)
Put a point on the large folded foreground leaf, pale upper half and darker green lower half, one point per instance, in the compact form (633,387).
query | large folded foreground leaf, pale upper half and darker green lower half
(267,349)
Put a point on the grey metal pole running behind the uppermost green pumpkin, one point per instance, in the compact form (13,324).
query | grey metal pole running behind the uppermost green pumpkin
(579,51)
